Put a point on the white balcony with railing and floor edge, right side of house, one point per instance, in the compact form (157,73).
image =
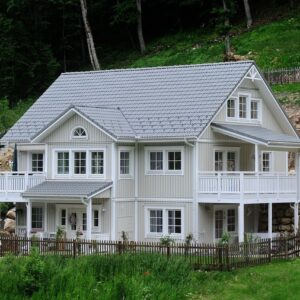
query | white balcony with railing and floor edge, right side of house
(247,187)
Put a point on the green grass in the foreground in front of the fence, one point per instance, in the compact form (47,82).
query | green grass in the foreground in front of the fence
(141,277)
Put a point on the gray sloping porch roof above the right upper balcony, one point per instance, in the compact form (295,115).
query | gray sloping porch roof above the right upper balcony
(257,135)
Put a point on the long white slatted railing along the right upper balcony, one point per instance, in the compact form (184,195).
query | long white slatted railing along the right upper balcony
(246,183)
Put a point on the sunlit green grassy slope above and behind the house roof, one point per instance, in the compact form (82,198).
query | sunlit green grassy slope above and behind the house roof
(274,45)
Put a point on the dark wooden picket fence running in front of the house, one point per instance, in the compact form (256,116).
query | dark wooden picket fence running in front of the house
(200,256)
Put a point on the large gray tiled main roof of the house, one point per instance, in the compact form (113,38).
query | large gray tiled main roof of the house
(161,102)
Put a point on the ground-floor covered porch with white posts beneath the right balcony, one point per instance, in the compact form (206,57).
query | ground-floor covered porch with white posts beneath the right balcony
(250,221)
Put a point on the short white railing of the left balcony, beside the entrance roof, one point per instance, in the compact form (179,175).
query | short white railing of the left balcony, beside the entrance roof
(19,181)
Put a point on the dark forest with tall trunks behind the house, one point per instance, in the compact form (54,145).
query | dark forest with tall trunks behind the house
(39,39)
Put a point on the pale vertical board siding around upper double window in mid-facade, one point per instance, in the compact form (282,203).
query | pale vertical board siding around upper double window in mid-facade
(166,186)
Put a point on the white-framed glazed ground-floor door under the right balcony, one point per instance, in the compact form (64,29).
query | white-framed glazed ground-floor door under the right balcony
(225,222)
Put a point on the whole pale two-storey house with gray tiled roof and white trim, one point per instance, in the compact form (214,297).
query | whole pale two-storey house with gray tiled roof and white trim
(198,149)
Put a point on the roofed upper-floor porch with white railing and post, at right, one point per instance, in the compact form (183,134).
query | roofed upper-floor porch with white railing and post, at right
(257,182)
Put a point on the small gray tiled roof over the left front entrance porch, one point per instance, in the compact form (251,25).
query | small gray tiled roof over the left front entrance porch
(67,189)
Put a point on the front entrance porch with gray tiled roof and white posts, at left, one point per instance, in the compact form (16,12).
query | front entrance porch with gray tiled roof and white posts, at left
(76,209)
